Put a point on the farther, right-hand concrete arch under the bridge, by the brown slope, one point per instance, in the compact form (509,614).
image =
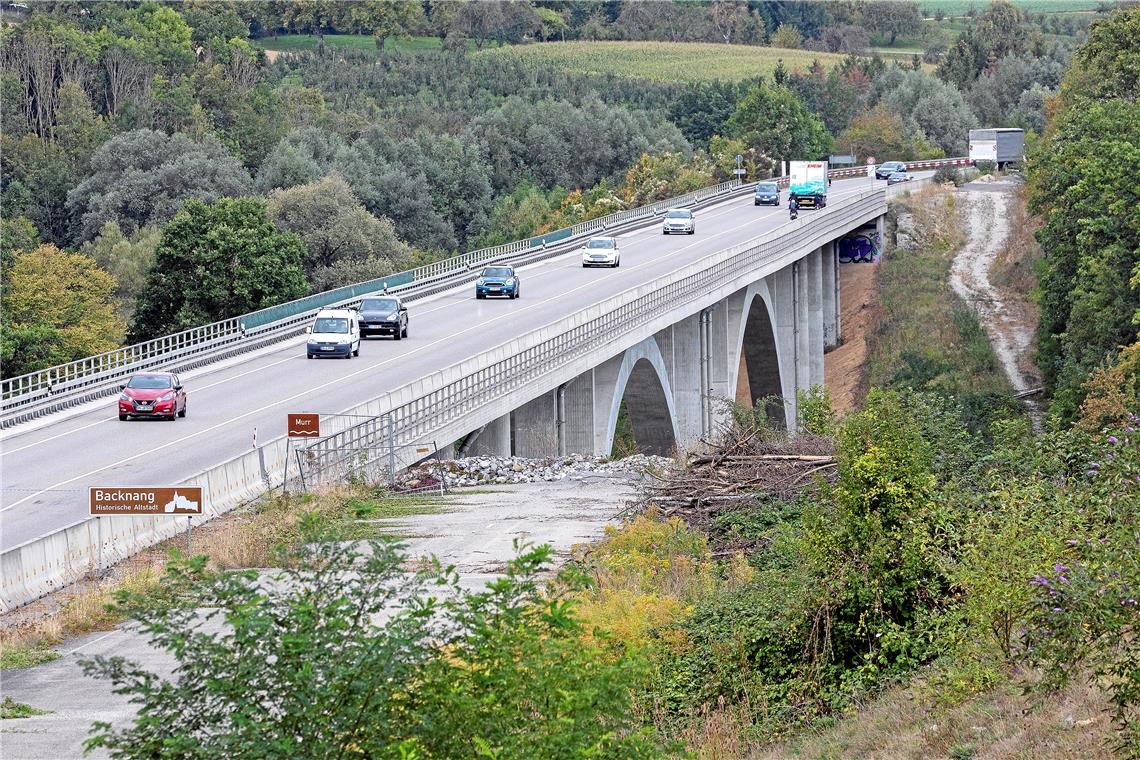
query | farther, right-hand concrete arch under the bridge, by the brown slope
(762,367)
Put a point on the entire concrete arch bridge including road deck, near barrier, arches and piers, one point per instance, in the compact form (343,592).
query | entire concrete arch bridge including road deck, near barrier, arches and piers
(748,303)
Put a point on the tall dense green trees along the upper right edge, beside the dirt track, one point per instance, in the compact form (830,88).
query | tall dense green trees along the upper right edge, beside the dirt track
(1080,183)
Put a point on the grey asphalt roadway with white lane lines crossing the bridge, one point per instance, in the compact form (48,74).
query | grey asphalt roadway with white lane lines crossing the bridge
(48,467)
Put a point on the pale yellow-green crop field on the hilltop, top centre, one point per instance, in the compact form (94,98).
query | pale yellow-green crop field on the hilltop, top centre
(669,62)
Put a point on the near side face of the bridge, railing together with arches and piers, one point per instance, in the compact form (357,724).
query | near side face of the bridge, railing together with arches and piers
(750,321)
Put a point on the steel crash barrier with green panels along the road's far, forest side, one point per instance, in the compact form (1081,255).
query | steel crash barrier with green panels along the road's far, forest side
(58,388)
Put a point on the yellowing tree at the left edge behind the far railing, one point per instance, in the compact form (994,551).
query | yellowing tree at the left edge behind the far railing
(58,308)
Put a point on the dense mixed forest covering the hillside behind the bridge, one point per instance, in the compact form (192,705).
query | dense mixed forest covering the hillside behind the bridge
(364,162)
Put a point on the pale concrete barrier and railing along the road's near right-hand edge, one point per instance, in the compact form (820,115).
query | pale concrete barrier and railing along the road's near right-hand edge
(410,414)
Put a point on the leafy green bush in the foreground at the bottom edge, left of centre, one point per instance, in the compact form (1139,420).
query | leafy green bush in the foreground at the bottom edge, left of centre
(346,655)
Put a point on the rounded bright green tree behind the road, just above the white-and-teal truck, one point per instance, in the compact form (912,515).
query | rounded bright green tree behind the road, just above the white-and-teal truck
(776,122)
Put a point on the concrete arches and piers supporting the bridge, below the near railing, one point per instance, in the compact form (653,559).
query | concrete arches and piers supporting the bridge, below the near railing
(759,336)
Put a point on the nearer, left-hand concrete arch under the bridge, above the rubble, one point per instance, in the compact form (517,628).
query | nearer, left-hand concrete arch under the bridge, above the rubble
(644,385)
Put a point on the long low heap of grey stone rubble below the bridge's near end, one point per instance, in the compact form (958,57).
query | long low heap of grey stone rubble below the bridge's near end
(483,471)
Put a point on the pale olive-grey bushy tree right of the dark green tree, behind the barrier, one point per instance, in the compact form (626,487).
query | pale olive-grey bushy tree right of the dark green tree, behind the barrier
(339,234)
